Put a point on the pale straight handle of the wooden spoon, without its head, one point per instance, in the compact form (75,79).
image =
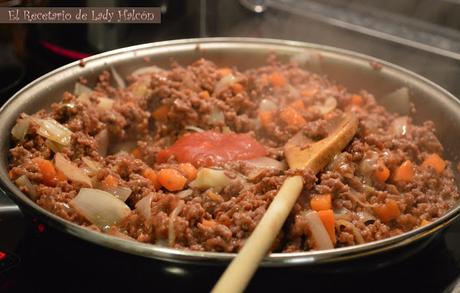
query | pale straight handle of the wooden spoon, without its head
(240,271)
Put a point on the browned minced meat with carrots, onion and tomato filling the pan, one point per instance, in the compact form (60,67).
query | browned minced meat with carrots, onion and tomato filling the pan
(191,157)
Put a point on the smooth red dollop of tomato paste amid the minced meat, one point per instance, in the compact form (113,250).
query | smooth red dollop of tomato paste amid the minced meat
(209,148)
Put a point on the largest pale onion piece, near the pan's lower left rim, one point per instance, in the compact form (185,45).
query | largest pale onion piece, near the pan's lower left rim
(99,207)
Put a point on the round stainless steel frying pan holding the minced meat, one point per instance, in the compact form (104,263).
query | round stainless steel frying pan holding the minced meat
(355,71)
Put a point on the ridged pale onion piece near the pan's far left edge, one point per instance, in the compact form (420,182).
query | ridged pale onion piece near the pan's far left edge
(53,130)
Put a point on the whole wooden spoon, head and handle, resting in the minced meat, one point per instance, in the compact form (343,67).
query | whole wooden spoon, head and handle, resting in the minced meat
(301,153)
